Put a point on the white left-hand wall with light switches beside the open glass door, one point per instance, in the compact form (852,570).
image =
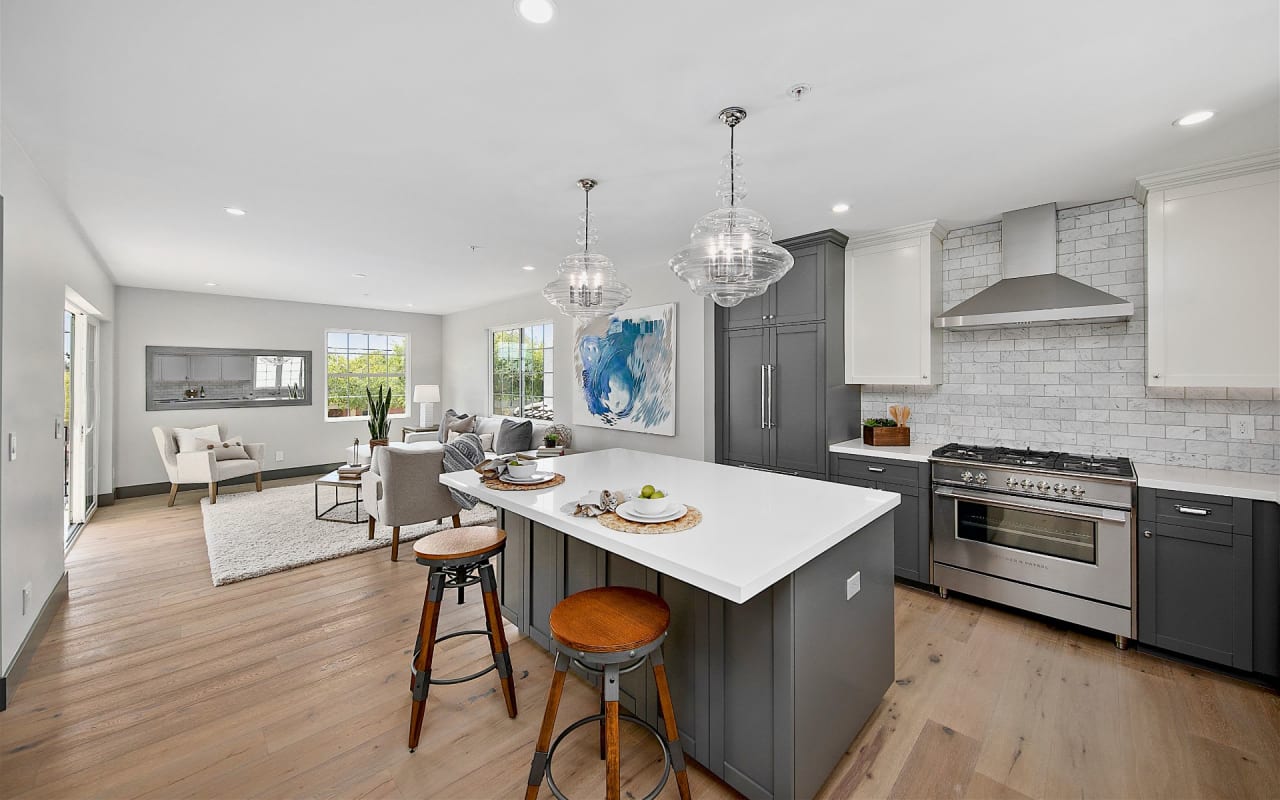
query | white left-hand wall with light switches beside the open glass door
(44,255)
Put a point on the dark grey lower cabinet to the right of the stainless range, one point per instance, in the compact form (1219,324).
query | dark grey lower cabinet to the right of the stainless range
(1208,573)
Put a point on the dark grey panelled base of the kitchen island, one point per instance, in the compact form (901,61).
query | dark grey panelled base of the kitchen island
(770,693)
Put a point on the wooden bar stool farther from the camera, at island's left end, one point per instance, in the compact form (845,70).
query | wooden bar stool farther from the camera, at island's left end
(459,557)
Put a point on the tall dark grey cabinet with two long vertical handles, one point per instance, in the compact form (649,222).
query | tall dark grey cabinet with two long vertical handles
(781,394)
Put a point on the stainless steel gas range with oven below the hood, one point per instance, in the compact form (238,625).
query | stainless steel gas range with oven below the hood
(1049,533)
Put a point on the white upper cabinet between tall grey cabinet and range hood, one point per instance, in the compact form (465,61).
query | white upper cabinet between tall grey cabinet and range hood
(894,290)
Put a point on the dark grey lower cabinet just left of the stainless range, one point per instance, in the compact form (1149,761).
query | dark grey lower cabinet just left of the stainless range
(911,519)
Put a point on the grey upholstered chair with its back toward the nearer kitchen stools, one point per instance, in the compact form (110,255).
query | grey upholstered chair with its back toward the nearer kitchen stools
(403,487)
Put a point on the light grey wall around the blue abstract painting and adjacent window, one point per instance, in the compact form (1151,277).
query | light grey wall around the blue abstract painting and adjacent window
(467,363)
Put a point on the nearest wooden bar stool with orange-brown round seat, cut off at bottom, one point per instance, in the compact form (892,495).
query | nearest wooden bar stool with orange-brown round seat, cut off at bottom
(610,632)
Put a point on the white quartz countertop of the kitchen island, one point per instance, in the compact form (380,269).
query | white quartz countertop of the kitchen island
(757,527)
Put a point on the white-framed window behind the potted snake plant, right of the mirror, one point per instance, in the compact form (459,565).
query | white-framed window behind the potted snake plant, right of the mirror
(360,360)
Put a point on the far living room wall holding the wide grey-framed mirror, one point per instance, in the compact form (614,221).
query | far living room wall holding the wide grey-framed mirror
(152,317)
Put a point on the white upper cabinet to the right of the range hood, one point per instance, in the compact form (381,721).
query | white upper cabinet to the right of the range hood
(1214,275)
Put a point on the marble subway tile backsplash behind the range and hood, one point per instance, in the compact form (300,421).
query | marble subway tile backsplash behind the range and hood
(1077,387)
